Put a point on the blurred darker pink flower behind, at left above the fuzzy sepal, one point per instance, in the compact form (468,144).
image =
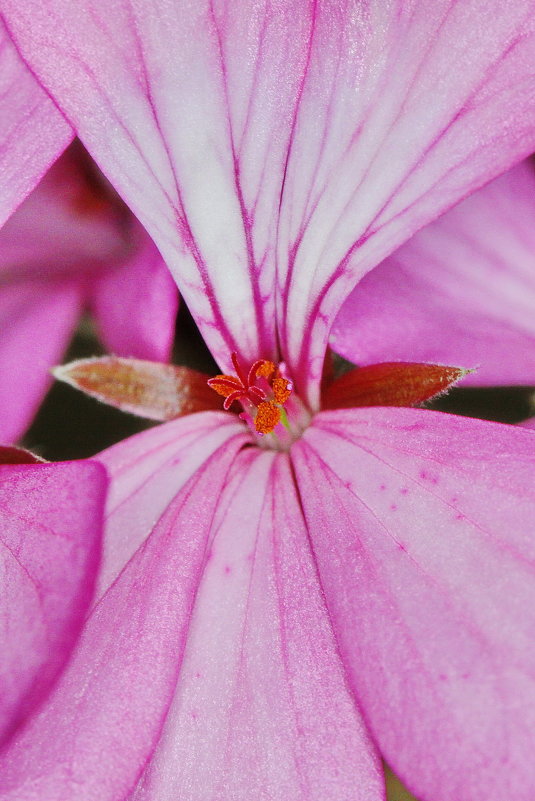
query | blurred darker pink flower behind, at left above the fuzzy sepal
(71,246)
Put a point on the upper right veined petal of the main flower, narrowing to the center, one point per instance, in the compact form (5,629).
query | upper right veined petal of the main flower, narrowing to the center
(401,133)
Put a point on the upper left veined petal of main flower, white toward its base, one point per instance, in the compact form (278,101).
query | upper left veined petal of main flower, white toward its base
(201,103)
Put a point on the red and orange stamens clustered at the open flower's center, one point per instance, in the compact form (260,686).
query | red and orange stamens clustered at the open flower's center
(262,391)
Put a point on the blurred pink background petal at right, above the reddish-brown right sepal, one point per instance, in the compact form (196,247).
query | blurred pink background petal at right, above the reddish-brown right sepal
(461,291)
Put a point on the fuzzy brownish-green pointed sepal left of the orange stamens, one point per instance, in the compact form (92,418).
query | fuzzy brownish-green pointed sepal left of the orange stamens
(149,389)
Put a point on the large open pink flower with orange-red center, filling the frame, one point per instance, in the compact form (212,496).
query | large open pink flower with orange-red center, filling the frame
(276,611)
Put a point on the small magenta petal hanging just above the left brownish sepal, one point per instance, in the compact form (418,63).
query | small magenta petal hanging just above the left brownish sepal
(135,305)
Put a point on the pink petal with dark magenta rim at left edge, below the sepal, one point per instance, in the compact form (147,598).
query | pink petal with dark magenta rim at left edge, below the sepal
(51,526)
